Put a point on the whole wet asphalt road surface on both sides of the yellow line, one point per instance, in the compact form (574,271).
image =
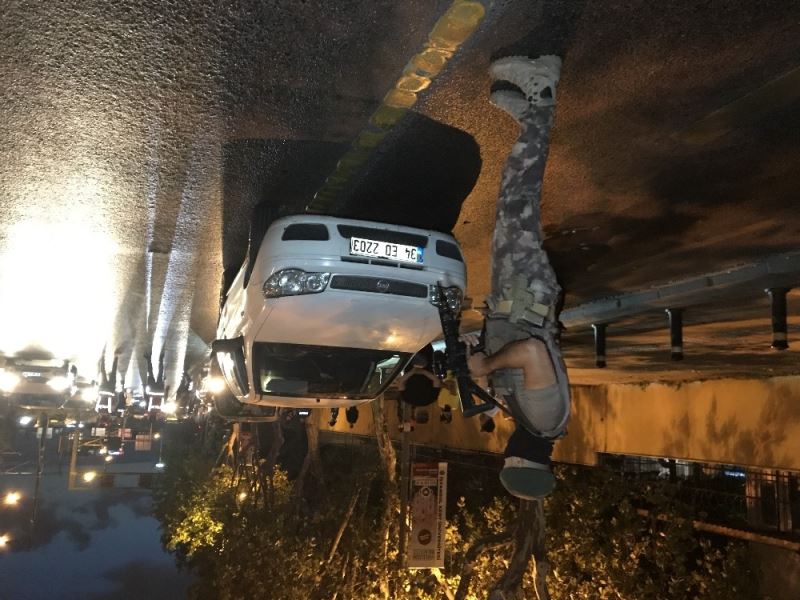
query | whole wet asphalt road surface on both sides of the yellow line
(135,138)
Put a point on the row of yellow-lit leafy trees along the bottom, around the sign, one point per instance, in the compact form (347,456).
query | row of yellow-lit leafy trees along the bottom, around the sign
(344,543)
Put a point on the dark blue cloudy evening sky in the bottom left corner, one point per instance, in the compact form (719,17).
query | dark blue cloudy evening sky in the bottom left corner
(91,541)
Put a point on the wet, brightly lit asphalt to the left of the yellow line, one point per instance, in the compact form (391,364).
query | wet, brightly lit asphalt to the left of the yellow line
(126,140)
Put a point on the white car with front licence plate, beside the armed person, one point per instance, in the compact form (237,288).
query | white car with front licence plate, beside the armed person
(329,311)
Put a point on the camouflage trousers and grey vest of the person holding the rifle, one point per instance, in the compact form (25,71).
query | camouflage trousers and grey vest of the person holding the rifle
(520,265)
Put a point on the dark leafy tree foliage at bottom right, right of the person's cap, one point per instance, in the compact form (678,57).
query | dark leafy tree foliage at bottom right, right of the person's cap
(602,547)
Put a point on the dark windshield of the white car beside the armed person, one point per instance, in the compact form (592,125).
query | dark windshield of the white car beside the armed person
(324,371)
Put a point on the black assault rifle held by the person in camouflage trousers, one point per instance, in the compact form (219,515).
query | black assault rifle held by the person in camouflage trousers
(456,358)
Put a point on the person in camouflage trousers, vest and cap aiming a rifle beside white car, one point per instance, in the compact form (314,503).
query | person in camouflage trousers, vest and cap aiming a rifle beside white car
(523,357)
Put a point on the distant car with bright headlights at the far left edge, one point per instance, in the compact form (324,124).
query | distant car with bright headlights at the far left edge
(37,382)
